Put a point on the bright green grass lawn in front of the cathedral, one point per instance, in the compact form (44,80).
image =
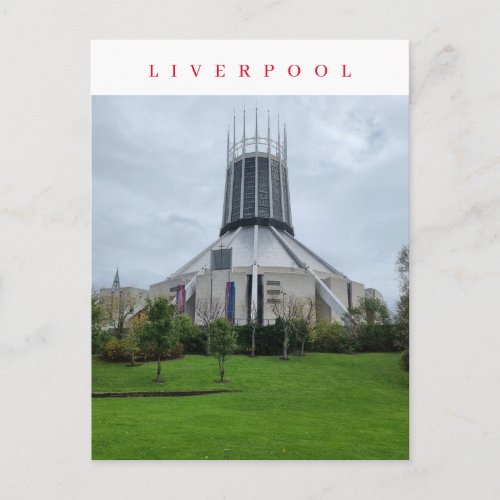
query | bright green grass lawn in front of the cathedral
(320,406)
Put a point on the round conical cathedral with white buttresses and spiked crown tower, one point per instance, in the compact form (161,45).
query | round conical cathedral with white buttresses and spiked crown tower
(257,259)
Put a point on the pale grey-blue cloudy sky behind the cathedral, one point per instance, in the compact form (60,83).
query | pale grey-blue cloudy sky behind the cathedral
(158,165)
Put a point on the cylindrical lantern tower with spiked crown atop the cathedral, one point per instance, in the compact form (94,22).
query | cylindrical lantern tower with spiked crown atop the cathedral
(257,191)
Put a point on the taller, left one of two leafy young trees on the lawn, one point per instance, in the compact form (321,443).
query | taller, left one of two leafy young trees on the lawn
(159,328)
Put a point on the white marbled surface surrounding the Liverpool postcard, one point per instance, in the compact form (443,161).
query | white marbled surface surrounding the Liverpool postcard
(45,248)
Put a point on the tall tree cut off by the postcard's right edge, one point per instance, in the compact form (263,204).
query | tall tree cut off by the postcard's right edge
(402,319)
